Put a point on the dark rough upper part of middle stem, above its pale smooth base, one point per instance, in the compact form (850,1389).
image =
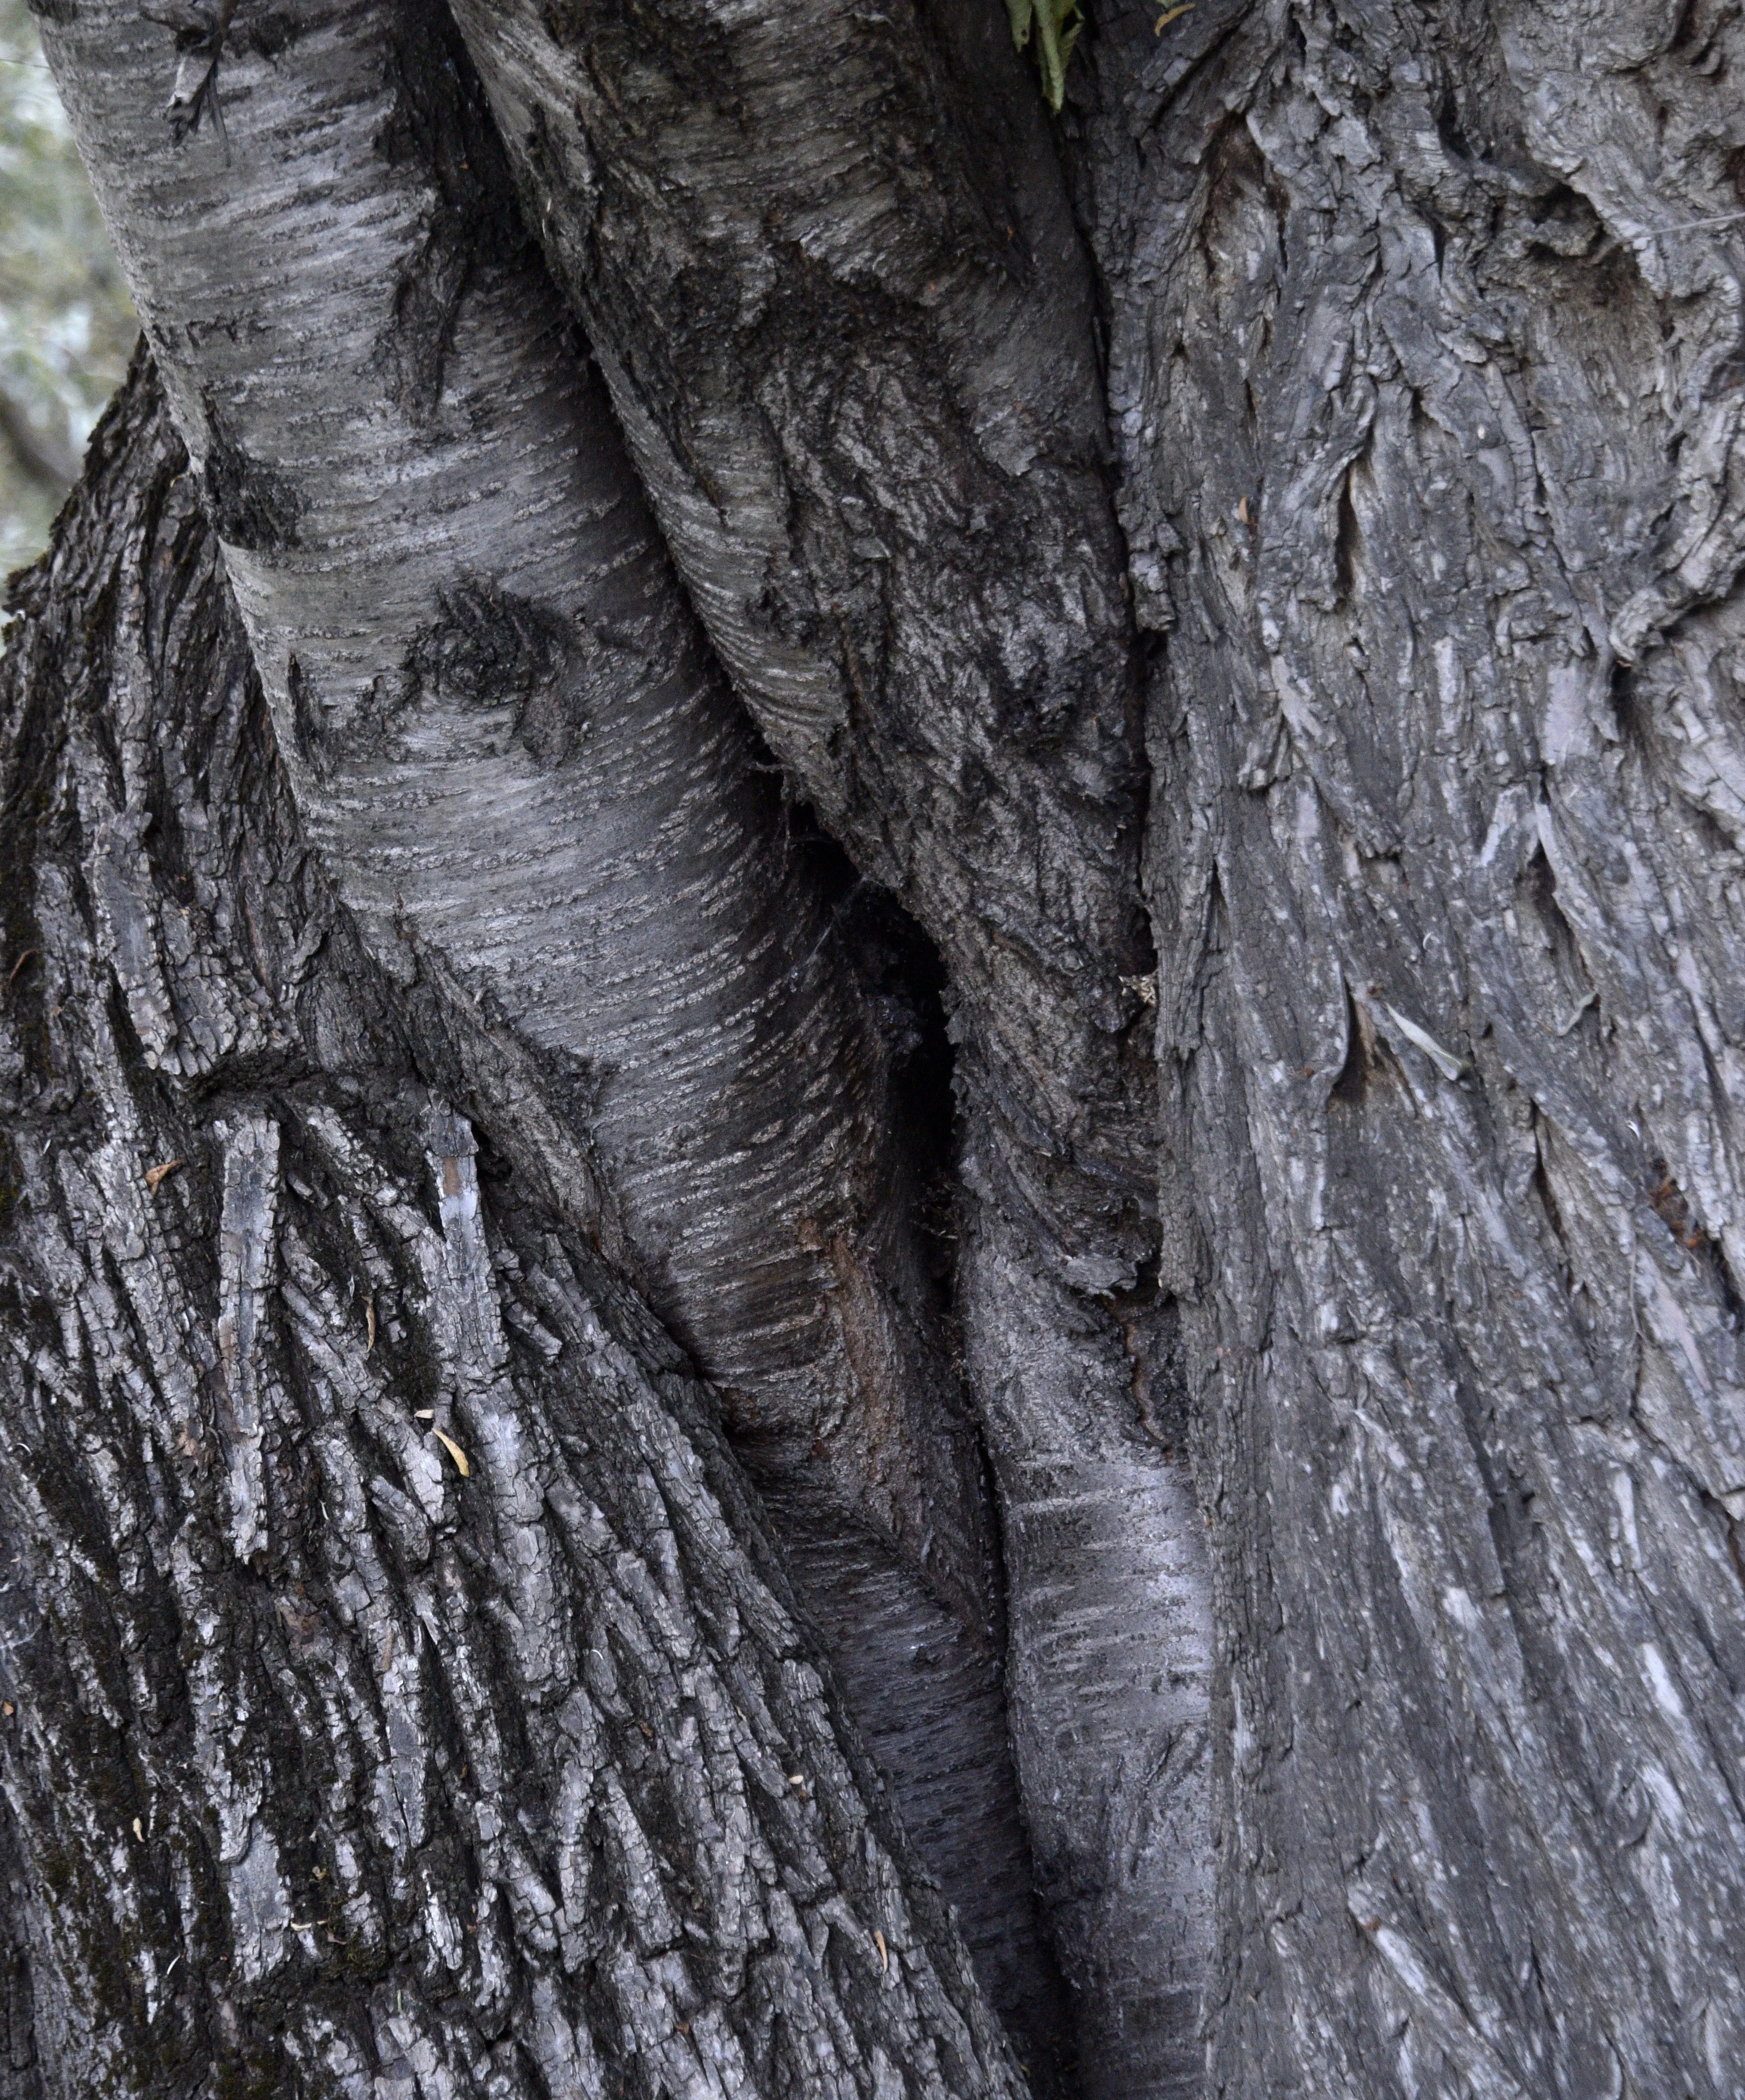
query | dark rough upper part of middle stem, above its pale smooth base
(828,272)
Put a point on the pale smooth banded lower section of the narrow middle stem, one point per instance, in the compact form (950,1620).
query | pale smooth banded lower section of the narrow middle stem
(1110,1652)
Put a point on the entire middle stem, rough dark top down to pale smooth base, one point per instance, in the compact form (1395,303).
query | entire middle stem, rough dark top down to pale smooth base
(826,264)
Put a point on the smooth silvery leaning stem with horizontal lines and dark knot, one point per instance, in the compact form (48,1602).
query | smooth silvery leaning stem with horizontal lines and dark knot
(513,751)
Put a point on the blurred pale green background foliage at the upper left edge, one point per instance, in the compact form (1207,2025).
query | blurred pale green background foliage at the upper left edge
(66,324)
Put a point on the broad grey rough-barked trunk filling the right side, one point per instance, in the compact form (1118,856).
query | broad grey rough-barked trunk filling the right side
(1450,883)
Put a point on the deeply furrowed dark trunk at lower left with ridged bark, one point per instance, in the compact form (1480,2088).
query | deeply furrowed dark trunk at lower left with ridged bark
(335,1765)
